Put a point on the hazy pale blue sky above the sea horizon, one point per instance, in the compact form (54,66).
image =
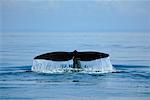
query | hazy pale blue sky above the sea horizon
(75,16)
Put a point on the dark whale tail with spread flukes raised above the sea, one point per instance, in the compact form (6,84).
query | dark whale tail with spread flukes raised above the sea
(76,56)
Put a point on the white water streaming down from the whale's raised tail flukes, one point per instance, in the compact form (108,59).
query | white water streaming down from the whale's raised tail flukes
(96,66)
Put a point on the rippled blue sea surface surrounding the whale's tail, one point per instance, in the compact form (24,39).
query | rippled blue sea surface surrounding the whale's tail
(129,54)
